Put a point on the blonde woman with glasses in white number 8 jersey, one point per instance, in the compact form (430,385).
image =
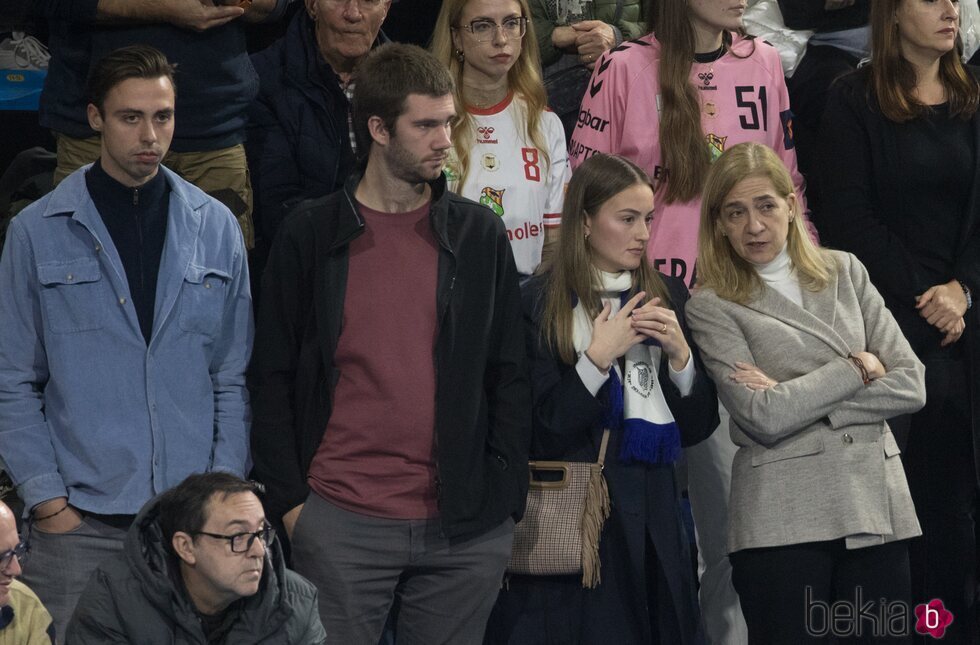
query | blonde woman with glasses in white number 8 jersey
(508,151)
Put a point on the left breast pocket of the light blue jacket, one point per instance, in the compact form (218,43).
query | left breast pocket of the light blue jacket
(72,295)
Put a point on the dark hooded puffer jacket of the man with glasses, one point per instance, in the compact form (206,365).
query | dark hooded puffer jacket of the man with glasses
(133,598)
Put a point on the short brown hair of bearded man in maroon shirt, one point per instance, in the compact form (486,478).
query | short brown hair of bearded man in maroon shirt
(385,78)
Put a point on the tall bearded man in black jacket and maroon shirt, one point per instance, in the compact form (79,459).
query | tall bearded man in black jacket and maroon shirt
(391,405)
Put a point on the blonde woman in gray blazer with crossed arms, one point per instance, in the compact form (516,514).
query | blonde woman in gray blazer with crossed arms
(810,363)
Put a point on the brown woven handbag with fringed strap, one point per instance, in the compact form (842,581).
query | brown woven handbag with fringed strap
(562,524)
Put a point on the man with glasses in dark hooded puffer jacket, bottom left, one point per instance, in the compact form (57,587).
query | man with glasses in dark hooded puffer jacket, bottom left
(201,564)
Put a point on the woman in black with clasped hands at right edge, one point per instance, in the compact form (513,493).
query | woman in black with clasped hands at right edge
(902,189)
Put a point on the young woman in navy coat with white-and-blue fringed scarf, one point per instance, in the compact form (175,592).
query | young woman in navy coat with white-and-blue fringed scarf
(609,347)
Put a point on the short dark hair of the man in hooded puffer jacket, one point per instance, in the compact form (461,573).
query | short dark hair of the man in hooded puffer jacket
(183,507)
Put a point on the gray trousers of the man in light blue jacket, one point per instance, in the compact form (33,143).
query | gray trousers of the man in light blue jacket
(61,564)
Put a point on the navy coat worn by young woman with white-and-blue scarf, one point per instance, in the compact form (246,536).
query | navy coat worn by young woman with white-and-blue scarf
(645,507)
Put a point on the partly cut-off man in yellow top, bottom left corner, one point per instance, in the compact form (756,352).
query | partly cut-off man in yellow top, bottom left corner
(23,619)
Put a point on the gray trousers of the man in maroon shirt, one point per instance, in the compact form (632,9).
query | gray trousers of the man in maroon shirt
(362,565)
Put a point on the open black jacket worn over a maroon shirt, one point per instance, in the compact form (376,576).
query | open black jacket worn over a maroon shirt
(483,408)
